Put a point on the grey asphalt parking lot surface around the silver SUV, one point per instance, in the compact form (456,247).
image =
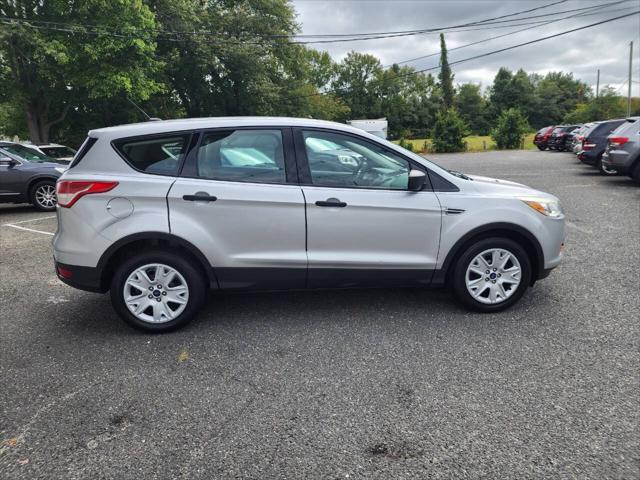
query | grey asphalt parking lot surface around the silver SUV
(337,384)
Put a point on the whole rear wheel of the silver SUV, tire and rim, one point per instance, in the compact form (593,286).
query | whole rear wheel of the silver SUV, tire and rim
(157,291)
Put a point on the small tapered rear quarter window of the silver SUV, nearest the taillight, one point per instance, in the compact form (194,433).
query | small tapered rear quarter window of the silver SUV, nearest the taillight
(159,155)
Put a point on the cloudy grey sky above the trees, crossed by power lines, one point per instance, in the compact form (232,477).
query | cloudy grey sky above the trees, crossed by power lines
(604,47)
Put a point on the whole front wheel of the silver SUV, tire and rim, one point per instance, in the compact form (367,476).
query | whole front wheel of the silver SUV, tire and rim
(492,274)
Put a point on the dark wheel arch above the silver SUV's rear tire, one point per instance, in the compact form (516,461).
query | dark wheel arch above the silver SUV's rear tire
(137,242)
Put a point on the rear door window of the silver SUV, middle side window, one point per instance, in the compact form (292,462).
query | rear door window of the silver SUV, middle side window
(242,156)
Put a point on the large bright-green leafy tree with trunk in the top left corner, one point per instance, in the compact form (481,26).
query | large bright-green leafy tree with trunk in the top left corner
(51,72)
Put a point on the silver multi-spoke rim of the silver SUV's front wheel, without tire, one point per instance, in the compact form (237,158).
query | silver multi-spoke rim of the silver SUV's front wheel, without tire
(493,276)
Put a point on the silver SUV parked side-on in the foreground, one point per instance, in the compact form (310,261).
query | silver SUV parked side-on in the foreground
(159,212)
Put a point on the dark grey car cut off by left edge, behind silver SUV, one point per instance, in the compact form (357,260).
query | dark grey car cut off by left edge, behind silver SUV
(28,176)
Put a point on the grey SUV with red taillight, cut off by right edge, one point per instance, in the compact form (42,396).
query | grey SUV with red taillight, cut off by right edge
(622,153)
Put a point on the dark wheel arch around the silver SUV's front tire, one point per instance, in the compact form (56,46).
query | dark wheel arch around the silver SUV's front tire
(519,234)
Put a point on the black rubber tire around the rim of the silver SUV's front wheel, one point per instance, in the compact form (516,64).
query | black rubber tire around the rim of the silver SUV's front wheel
(460,268)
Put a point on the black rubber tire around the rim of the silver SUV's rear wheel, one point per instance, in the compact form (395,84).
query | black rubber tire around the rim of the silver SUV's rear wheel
(194,278)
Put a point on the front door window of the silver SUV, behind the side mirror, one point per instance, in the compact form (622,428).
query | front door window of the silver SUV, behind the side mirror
(337,160)
